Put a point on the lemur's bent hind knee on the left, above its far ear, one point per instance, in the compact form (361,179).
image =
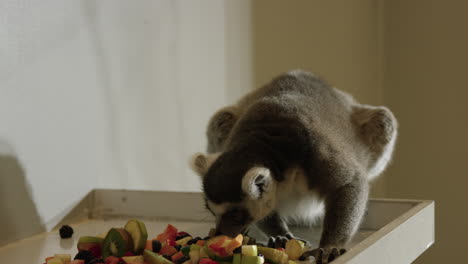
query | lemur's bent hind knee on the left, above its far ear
(220,126)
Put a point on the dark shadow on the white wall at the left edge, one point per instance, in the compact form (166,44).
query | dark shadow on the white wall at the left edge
(19,216)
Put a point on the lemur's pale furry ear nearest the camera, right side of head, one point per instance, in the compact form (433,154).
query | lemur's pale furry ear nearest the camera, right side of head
(256,182)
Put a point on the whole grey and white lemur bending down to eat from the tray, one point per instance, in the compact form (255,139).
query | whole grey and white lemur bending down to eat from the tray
(294,148)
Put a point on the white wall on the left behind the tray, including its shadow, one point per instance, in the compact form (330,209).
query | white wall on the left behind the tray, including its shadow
(109,94)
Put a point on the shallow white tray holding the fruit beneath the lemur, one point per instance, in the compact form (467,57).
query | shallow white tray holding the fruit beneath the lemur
(394,231)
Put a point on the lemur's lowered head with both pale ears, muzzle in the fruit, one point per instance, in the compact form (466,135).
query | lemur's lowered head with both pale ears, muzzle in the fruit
(236,192)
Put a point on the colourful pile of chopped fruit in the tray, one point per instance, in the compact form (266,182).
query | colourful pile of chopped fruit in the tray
(130,245)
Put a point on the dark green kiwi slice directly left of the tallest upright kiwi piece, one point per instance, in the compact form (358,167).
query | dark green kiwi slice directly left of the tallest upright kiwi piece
(116,243)
